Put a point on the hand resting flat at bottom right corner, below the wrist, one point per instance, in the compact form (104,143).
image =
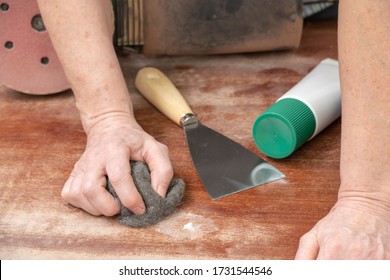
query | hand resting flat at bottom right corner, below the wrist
(352,230)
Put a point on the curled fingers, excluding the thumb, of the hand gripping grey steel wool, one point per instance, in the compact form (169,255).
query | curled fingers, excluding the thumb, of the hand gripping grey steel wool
(87,189)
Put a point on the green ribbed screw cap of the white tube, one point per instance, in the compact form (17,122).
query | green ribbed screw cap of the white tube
(283,128)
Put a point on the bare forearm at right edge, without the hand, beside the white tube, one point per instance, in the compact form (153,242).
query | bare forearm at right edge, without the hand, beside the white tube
(364,47)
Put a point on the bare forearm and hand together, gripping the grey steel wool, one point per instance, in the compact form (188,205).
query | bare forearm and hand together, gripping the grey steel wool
(113,135)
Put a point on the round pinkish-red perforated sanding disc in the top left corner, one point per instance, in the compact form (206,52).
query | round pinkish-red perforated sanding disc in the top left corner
(28,62)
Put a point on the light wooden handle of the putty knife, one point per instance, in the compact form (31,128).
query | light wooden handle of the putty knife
(160,91)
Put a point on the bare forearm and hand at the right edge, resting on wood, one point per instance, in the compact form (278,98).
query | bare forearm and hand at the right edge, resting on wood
(358,226)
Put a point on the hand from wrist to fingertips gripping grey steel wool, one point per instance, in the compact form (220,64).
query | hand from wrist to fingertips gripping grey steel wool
(112,142)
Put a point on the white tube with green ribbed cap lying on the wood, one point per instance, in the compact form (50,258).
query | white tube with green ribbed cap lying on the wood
(301,113)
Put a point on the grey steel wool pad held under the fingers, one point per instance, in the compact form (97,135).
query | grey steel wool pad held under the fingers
(157,207)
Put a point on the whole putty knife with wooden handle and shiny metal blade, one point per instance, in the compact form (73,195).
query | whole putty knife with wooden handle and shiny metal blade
(224,166)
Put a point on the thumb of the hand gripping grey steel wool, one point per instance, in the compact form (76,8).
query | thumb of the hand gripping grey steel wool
(161,171)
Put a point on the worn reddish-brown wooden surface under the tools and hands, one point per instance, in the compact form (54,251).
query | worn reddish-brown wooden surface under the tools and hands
(41,138)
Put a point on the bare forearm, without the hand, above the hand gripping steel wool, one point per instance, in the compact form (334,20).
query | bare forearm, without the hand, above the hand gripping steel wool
(81,32)
